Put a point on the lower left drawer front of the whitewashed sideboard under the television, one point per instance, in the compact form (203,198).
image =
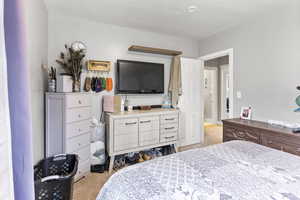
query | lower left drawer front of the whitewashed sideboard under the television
(123,142)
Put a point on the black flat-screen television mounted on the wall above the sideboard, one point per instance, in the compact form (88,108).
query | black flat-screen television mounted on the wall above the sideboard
(135,77)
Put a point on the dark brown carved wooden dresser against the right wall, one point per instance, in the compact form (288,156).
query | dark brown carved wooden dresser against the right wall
(262,133)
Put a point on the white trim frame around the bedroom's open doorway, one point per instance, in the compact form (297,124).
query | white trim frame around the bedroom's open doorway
(227,52)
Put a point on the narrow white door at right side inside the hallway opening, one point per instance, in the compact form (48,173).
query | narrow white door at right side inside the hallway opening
(225,91)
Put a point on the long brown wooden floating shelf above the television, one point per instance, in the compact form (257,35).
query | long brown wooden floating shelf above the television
(154,50)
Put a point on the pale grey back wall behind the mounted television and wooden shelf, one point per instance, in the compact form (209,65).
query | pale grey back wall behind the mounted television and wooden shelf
(110,42)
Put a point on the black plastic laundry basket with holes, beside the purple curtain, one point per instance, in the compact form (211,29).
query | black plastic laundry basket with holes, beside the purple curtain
(54,177)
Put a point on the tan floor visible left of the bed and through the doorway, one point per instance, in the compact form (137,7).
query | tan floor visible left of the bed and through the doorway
(88,187)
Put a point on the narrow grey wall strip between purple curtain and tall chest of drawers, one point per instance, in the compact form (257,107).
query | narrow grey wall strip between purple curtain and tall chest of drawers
(37,52)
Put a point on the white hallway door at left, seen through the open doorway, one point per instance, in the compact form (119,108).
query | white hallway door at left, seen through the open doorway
(211,94)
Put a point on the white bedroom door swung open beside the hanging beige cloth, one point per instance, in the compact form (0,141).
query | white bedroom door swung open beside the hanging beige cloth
(191,123)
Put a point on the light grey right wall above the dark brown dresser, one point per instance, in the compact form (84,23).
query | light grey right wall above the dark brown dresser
(266,63)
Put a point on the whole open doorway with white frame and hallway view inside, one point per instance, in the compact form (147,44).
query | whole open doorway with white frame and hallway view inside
(217,97)
